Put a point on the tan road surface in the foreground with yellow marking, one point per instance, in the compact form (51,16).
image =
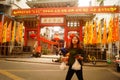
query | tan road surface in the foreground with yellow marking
(11,70)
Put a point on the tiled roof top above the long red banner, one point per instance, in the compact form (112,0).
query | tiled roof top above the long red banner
(51,3)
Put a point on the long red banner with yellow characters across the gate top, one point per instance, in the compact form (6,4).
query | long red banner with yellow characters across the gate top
(64,11)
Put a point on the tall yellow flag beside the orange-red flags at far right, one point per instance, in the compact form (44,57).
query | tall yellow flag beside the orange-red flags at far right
(109,39)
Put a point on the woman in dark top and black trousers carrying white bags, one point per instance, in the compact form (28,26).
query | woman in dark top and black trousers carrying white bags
(75,52)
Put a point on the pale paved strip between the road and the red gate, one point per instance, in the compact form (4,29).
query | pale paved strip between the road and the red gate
(48,59)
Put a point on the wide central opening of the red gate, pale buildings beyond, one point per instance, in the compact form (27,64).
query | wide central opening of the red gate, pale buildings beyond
(51,39)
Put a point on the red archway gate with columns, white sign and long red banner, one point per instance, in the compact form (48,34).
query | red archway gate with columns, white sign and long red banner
(72,19)
